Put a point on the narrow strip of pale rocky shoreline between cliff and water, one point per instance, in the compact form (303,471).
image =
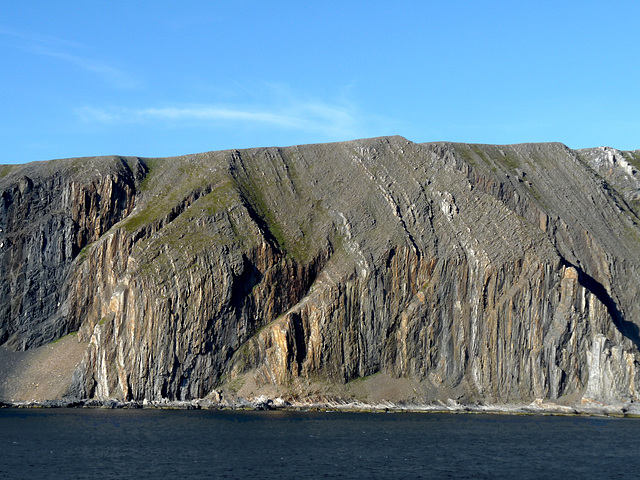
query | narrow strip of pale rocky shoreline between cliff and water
(264,403)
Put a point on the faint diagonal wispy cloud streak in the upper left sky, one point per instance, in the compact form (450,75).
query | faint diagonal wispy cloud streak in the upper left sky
(59,48)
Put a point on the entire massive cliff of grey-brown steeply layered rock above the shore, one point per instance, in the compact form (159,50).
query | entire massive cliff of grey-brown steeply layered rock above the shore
(478,272)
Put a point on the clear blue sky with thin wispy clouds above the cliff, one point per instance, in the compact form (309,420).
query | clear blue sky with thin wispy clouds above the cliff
(161,78)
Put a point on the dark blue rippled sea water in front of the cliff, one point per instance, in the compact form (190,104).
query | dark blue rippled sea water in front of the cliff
(105,444)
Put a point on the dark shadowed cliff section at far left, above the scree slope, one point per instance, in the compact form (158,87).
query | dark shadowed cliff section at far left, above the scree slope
(48,214)
